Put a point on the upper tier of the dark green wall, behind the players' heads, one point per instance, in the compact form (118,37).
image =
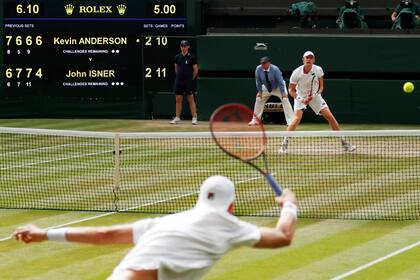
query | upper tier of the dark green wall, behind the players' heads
(335,52)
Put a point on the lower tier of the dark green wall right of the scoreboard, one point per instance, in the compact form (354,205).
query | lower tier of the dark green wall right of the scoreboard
(352,101)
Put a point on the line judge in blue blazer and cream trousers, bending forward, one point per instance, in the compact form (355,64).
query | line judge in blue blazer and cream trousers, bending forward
(269,81)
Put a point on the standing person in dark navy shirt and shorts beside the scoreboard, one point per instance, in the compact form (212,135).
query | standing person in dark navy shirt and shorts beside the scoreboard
(186,70)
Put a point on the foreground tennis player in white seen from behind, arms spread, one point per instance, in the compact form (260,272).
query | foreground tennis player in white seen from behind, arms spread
(183,245)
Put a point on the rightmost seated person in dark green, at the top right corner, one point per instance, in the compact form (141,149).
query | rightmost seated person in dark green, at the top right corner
(406,15)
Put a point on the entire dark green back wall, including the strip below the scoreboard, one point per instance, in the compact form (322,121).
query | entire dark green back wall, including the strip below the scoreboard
(364,78)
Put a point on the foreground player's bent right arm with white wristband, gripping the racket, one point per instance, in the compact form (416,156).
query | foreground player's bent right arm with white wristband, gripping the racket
(282,234)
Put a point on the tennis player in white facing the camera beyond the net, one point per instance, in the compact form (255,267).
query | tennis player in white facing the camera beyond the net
(300,89)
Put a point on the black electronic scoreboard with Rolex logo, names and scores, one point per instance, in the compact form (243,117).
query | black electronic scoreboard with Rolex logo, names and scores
(94,51)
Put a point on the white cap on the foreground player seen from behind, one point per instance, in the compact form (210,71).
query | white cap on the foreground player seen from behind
(216,192)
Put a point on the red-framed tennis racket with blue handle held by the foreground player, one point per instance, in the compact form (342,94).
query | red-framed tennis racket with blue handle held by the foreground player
(230,130)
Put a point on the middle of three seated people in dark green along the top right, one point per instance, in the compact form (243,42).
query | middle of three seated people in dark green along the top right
(351,16)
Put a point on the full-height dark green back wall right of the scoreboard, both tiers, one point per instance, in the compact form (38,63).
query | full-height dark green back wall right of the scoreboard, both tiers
(364,74)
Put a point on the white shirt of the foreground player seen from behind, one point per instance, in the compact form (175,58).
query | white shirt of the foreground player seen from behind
(187,244)
